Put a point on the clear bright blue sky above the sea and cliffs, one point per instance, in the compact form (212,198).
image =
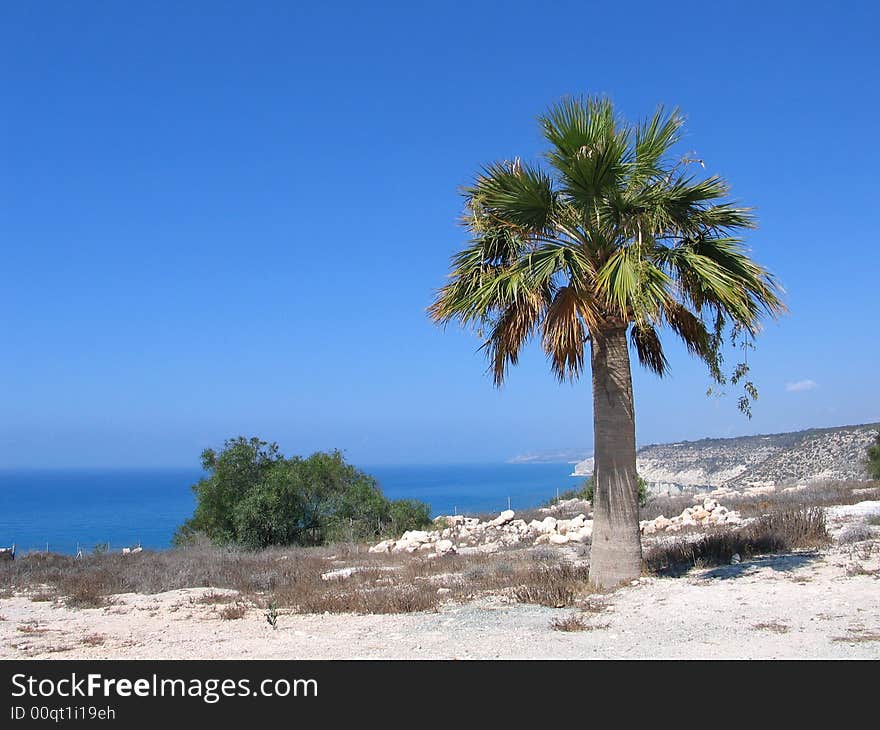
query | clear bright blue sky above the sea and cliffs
(228,218)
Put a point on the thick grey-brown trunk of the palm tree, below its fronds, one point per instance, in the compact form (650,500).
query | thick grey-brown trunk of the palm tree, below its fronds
(616,555)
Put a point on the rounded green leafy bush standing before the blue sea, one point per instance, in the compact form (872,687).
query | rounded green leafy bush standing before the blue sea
(256,497)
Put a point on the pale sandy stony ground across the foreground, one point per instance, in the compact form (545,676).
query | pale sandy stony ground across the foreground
(808,604)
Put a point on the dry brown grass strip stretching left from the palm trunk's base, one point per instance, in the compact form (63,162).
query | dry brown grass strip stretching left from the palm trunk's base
(386,583)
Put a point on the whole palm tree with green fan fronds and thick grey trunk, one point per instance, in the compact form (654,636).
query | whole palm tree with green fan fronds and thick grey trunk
(611,237)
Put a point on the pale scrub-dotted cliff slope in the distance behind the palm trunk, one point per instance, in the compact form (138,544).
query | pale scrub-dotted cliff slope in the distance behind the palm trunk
(747,461)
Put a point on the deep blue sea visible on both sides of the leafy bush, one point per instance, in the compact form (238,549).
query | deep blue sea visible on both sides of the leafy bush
(67,509)
